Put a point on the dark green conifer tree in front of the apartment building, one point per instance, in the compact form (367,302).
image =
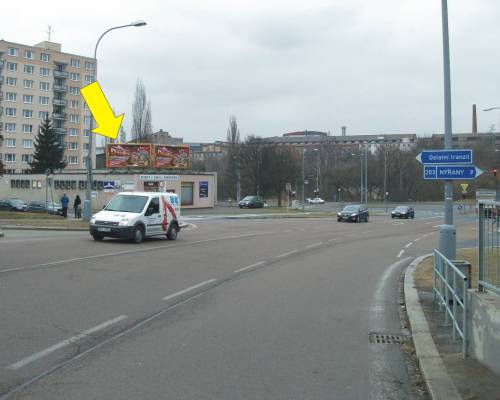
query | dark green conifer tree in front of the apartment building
(48,153)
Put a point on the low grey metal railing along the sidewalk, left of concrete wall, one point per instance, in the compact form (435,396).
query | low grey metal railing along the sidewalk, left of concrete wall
(450,287)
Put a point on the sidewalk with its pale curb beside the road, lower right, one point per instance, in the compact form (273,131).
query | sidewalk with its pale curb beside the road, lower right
(449,376)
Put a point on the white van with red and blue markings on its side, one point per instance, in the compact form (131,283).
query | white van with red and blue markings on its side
(136,215)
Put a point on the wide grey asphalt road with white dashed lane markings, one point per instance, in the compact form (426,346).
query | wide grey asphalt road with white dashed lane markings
(234,309)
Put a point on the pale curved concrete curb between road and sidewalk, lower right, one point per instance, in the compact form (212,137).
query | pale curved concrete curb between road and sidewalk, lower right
(437,380)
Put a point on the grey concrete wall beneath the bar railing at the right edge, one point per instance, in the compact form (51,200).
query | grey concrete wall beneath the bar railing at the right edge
(484,329)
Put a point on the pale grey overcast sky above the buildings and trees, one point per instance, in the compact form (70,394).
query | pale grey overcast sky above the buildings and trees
(374,66)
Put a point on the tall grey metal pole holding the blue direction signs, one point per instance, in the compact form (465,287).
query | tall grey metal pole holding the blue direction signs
(447,239)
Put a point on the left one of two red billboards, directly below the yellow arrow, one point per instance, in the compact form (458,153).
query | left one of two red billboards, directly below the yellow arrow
(128,155)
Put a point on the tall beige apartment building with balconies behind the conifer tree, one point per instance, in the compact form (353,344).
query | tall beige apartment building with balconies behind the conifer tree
(37,82)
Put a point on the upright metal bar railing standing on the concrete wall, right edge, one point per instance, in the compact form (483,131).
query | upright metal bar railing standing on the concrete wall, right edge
(489,246)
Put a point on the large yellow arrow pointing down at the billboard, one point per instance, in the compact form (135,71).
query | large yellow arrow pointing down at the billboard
(107,124)
